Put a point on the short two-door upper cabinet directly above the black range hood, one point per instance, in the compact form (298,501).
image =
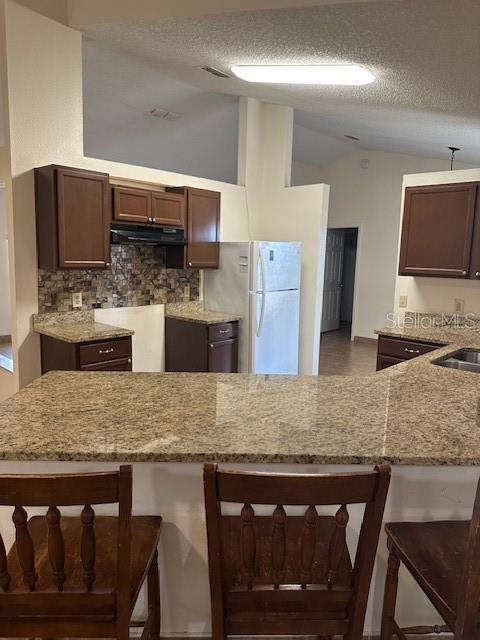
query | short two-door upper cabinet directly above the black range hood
(148,207)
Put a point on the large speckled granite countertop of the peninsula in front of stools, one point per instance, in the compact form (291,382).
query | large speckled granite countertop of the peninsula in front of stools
(414,414)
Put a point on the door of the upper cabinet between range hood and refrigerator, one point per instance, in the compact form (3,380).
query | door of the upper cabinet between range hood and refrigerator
(203,228)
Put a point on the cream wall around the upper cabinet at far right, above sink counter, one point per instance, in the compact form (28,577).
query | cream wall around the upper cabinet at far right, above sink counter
(437,295)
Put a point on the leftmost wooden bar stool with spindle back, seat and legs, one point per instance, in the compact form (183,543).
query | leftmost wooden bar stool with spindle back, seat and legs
(76,576)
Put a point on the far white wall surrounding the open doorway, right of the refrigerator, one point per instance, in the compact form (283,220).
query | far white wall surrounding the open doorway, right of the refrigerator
(370,199)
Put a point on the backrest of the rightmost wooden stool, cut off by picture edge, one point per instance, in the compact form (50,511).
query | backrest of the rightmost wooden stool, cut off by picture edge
(467,620)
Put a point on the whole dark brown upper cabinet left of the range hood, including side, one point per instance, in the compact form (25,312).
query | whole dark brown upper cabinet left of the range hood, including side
(73,214)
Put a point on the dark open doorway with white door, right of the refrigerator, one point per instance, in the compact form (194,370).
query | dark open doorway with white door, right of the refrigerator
(339,280)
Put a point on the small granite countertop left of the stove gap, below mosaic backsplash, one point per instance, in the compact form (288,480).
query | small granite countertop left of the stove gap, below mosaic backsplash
(76,326)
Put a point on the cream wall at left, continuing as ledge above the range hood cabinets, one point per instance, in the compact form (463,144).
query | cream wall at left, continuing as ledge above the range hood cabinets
(45,111)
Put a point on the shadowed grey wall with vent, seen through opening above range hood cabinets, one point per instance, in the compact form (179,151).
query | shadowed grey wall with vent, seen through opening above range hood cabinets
(119,92)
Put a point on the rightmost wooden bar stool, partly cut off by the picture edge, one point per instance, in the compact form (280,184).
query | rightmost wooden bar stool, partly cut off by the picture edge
(444,559)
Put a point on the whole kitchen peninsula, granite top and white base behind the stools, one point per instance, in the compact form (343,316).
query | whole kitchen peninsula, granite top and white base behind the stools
(419,416)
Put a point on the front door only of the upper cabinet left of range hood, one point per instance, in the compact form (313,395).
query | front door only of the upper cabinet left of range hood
(83,219)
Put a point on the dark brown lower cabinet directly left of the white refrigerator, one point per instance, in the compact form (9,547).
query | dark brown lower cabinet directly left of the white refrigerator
(192,346)
